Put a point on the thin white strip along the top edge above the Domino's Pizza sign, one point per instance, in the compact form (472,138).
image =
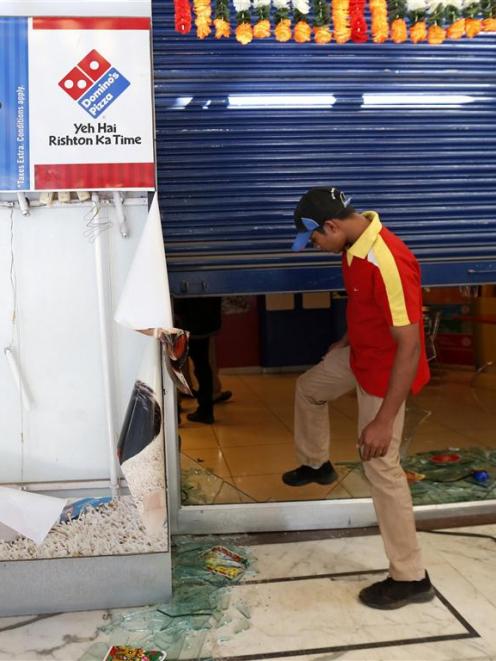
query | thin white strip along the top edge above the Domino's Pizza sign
(76,8)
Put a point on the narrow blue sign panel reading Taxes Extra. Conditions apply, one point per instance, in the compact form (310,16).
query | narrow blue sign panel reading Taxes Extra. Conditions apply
(14,113)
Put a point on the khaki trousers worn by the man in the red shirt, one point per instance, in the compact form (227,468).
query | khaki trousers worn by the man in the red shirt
(327,381)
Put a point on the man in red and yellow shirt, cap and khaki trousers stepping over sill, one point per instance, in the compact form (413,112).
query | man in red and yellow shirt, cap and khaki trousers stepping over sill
(382,355)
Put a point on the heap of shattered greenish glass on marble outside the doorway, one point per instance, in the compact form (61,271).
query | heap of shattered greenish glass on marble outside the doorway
(201,597)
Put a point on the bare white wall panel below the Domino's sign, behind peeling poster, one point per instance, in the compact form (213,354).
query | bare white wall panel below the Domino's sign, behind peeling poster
(56,341)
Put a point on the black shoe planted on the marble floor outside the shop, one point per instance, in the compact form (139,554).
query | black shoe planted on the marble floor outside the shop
(390,594)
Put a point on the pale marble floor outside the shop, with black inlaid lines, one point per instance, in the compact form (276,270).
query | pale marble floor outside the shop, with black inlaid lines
(301,601)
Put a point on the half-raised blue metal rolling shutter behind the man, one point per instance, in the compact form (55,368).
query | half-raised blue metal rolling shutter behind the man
(242,132)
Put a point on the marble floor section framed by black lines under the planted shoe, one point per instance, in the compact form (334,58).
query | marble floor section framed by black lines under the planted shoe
(317,613)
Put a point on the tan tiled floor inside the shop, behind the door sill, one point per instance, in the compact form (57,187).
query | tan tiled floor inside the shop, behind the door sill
(251,442)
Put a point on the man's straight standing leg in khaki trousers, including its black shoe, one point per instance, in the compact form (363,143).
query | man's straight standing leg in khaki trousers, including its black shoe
(393,505)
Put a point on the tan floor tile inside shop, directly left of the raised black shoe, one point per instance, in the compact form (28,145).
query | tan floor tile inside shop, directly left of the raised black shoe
(260,460)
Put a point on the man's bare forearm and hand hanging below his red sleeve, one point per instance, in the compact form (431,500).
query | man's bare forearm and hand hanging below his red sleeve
(376,436)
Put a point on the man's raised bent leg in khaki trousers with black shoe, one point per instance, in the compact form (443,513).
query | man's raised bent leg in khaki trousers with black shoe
(328,380)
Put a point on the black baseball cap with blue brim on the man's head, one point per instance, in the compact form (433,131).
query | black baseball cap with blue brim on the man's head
(314,208)
